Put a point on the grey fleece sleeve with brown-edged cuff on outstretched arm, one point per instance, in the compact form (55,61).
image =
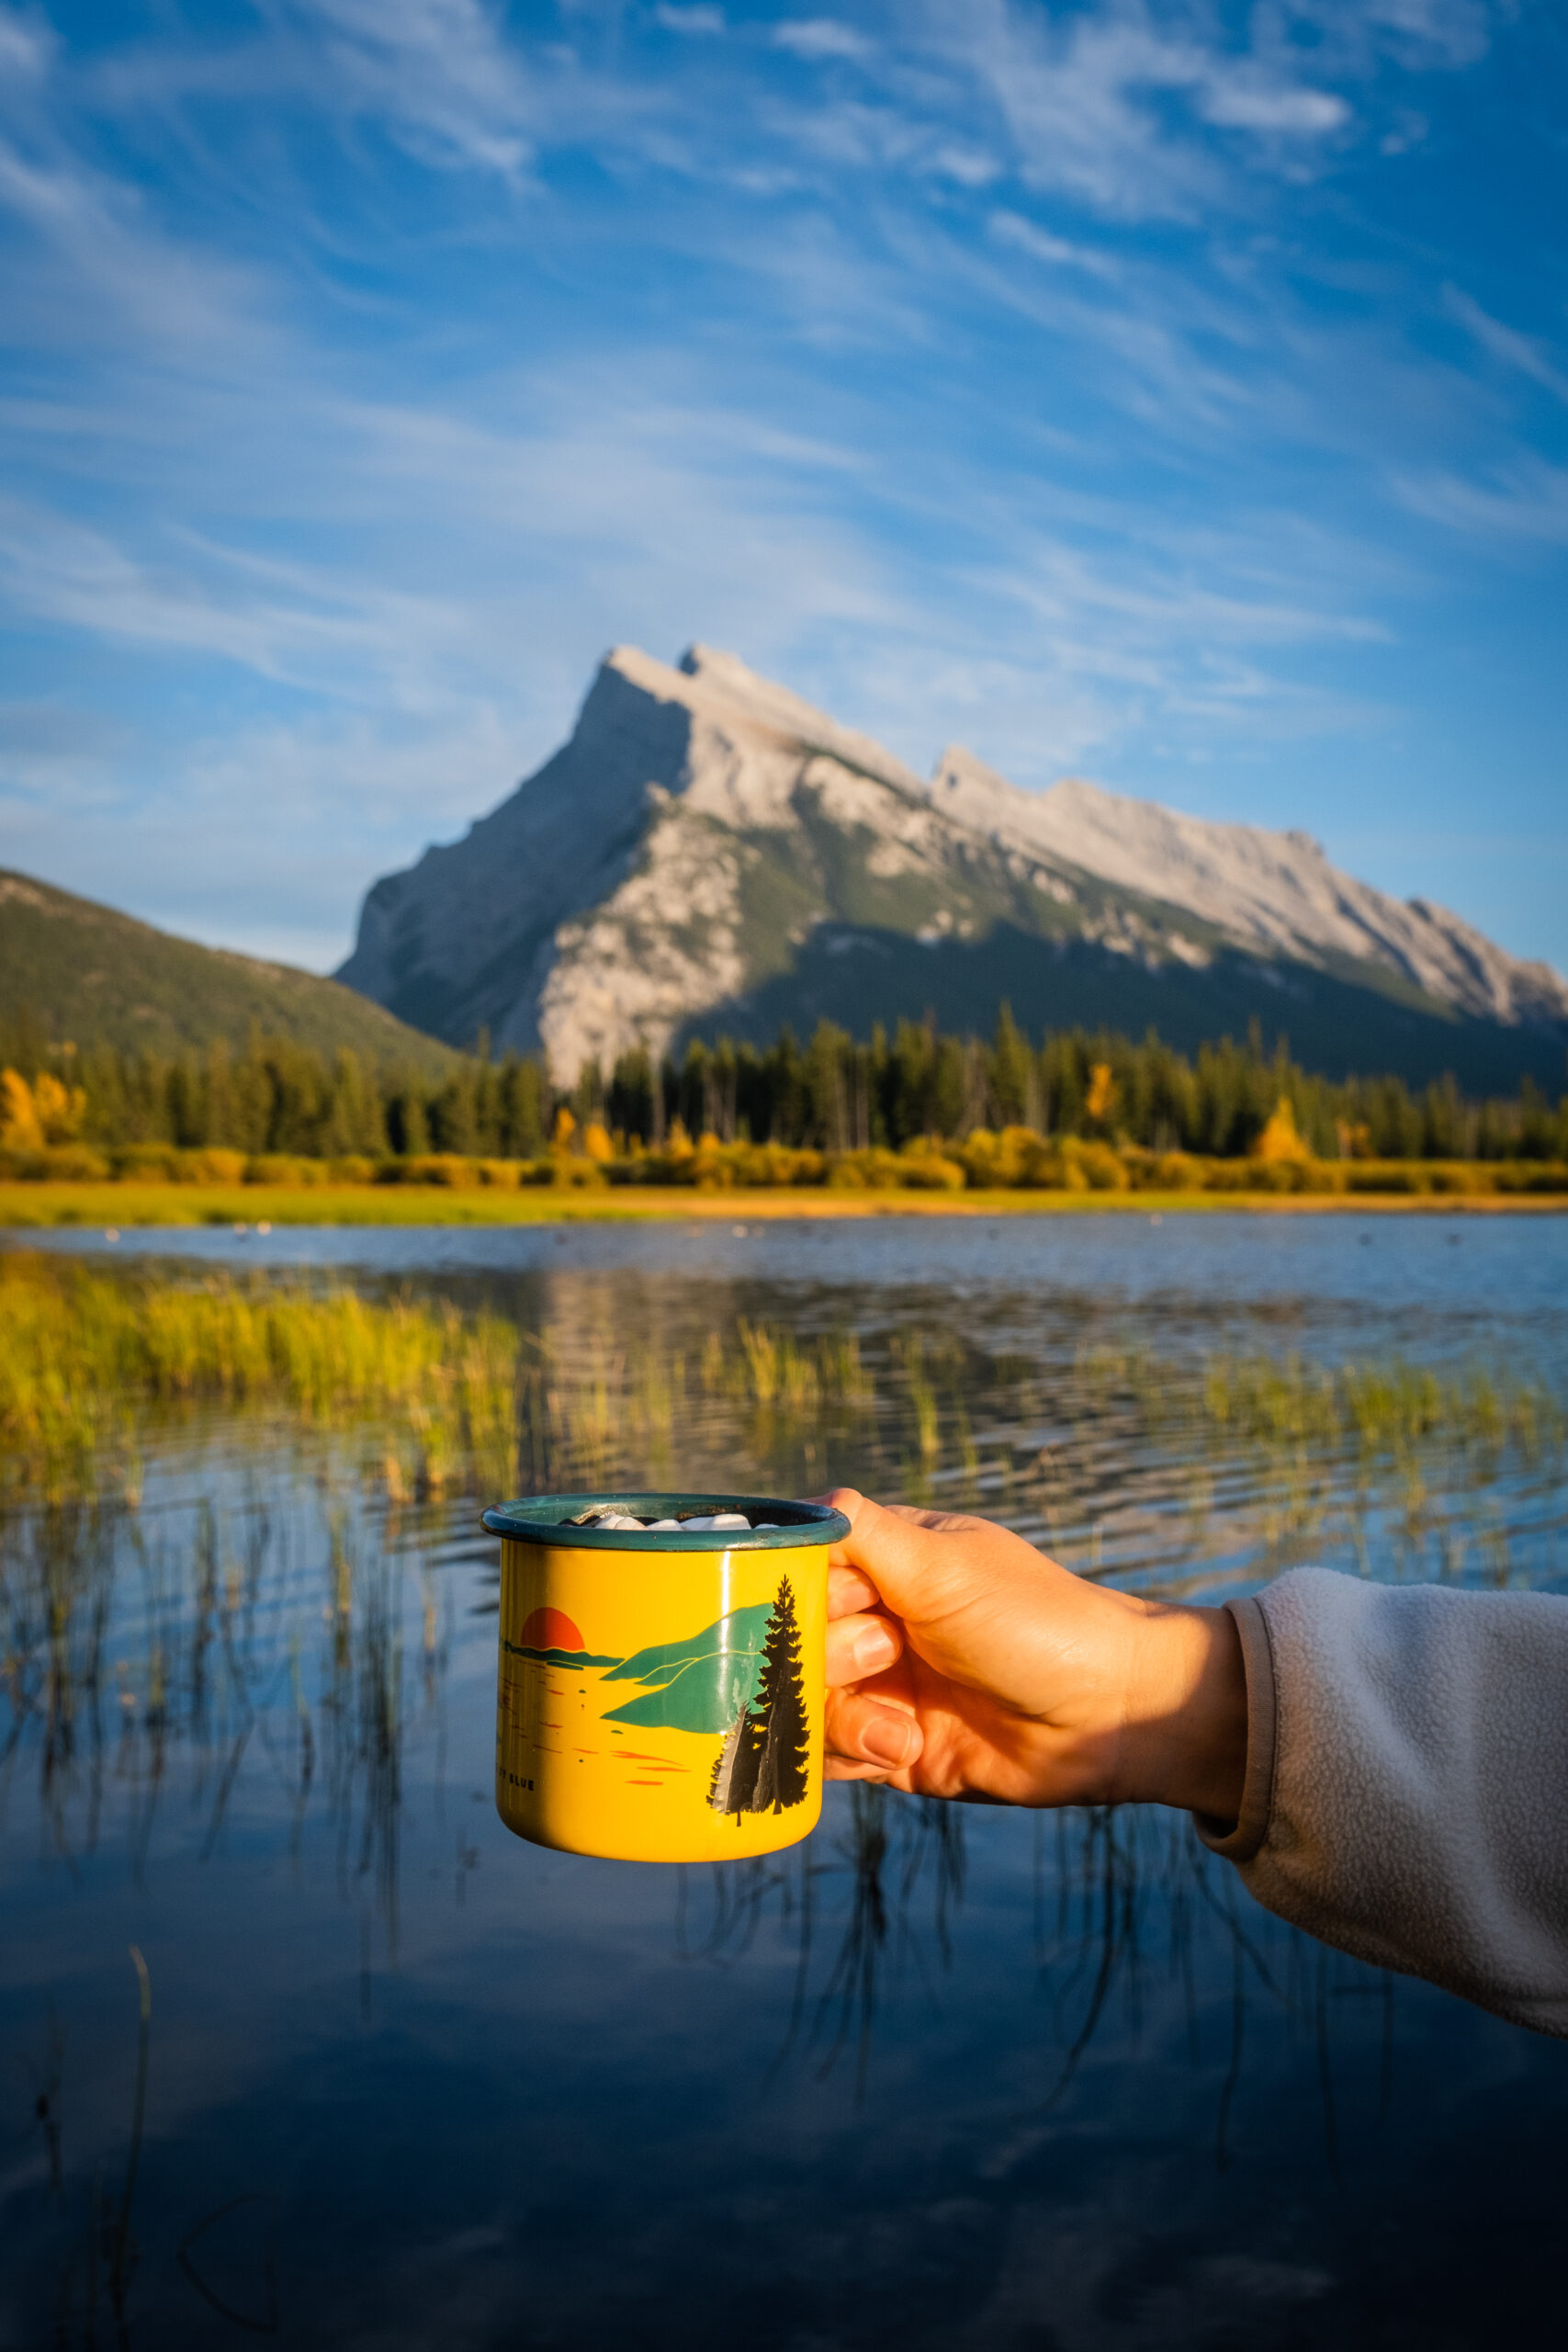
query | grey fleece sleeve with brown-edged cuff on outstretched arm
(1407,1782)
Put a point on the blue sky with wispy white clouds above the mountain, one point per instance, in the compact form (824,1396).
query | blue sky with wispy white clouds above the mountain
(1160,394)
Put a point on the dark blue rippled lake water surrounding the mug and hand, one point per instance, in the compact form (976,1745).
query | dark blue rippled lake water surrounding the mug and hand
(939,2078)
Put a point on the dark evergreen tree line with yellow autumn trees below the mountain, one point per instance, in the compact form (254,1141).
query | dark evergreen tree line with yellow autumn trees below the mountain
(831,1095)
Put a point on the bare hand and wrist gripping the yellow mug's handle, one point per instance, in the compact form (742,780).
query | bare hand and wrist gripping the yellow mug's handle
(965,1664)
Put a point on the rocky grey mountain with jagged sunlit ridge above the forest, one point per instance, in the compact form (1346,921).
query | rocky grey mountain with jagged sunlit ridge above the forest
(713,853)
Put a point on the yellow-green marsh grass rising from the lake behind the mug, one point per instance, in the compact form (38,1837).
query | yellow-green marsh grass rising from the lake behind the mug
(95,1368)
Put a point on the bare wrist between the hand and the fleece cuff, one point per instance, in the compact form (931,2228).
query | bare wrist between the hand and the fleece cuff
(1184,1728)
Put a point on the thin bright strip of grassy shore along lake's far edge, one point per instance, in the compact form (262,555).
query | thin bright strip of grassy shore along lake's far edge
(182,1205)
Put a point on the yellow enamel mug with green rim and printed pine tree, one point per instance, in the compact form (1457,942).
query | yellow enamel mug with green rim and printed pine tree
(662,1690)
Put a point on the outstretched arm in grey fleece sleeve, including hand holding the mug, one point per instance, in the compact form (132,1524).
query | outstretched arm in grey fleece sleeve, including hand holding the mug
(1388,1768)
